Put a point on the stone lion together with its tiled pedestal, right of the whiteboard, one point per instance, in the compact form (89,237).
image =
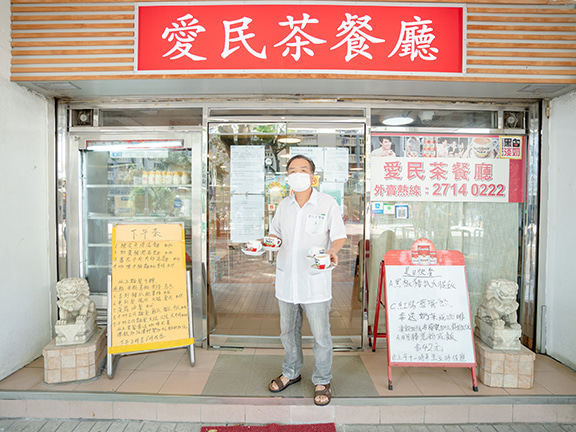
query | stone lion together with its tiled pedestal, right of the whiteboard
(502,360)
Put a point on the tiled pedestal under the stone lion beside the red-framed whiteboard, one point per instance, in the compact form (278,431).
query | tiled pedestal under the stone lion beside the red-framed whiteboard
(508,369)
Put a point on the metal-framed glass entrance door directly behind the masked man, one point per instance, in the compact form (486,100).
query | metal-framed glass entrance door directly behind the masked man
(246,181)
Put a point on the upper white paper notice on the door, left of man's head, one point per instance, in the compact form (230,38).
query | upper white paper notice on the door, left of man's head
(246,169)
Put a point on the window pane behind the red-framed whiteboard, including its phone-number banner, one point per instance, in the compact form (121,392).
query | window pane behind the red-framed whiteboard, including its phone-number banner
(462,192)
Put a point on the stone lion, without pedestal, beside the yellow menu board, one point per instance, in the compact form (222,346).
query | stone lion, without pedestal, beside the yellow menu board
(76,311)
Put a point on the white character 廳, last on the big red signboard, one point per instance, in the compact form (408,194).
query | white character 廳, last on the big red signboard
(416,40)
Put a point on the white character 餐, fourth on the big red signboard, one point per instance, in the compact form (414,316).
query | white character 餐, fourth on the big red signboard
(355,37)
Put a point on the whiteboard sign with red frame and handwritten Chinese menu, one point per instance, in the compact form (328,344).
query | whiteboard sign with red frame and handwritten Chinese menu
(428,318)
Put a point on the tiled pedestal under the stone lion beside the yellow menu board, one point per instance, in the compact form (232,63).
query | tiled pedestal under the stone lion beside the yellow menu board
(74,362)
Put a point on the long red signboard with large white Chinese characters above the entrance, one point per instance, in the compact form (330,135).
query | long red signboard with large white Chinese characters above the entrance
(300,38)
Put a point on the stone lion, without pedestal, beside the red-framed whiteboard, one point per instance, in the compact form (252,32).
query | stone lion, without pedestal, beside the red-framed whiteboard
(496,318)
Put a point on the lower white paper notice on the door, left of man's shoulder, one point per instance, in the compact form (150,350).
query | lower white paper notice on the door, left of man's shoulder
(246,218)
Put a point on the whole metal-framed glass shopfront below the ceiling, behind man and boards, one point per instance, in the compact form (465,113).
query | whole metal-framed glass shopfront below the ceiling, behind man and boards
(114,172)
